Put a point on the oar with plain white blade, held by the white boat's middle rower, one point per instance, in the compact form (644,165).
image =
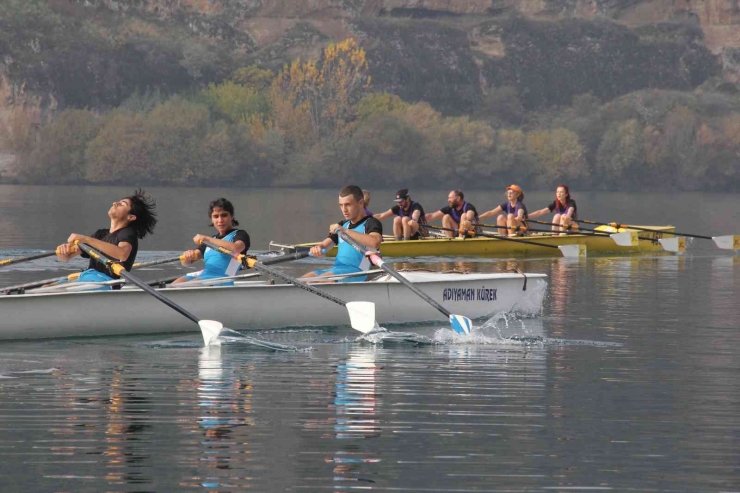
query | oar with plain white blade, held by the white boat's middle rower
(361,313)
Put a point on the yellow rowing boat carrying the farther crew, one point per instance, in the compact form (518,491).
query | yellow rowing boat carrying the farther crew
(495,247)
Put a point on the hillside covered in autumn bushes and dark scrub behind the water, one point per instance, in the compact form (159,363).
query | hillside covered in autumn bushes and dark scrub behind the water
(137,99)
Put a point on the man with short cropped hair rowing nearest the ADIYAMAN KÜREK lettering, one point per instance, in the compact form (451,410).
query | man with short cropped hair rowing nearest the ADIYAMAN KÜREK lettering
(362,228)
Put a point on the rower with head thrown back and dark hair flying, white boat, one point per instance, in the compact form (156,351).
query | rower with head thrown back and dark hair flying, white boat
(131,219)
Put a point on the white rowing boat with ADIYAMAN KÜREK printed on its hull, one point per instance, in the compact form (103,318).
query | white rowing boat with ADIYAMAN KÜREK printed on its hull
(250,305)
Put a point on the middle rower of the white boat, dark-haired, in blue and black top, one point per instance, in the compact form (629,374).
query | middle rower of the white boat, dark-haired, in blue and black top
(216,264)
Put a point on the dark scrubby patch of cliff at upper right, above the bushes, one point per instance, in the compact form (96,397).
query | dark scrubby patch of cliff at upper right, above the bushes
(550,62)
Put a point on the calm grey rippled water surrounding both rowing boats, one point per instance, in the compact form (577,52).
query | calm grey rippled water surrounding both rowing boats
(627,381)
